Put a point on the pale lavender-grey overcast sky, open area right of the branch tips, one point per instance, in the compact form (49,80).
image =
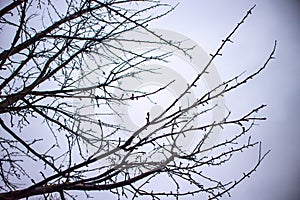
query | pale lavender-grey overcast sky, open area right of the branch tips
(207,23)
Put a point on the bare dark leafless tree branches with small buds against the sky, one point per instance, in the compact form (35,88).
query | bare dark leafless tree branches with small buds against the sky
(63,69)
